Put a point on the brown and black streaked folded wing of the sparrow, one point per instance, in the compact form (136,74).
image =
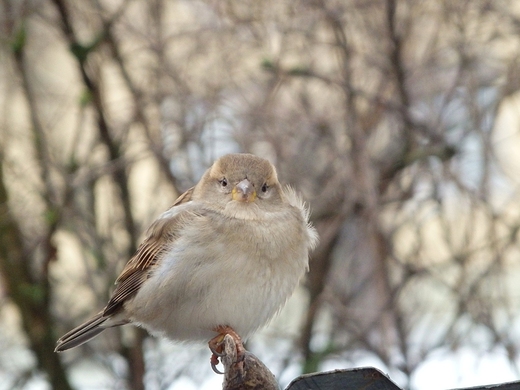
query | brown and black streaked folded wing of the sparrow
(160,235)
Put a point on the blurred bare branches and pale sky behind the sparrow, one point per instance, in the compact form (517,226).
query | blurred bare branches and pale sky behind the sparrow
(397,119)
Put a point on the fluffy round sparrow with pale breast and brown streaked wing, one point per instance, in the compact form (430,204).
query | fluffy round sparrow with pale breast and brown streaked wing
(223,259)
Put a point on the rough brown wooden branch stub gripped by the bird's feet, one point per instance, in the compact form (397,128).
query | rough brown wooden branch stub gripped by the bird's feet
(246,371)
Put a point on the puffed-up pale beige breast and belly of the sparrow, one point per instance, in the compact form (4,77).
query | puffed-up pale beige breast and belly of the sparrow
(223,272)
